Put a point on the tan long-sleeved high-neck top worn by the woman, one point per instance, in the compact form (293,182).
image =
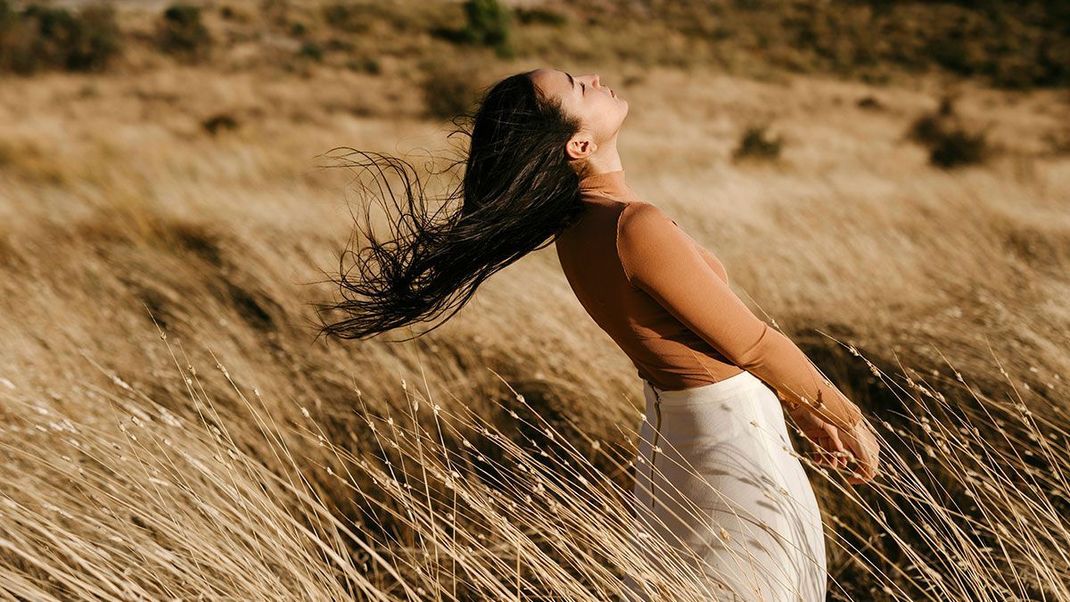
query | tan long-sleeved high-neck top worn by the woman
(666,302)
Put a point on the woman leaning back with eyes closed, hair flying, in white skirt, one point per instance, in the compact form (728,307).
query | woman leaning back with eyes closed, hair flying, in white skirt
(715,474)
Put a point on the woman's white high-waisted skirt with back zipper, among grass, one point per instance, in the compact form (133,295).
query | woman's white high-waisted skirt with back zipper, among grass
(727,490)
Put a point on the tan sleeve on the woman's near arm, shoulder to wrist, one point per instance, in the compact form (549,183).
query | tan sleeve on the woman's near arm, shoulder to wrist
(660,259)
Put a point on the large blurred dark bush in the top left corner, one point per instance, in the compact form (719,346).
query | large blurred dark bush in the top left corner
(42,38)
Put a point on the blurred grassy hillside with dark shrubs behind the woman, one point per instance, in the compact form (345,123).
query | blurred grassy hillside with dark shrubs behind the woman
(884,178)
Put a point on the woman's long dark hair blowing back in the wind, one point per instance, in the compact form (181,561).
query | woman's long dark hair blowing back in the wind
(518,193)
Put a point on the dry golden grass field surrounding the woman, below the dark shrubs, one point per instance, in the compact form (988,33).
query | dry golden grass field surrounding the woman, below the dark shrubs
(172,429)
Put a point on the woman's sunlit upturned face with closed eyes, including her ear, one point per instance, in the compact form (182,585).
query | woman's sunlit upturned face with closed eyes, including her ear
(599,109)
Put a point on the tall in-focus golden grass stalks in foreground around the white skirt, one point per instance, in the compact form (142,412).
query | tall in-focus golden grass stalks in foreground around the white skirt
(450,504)
